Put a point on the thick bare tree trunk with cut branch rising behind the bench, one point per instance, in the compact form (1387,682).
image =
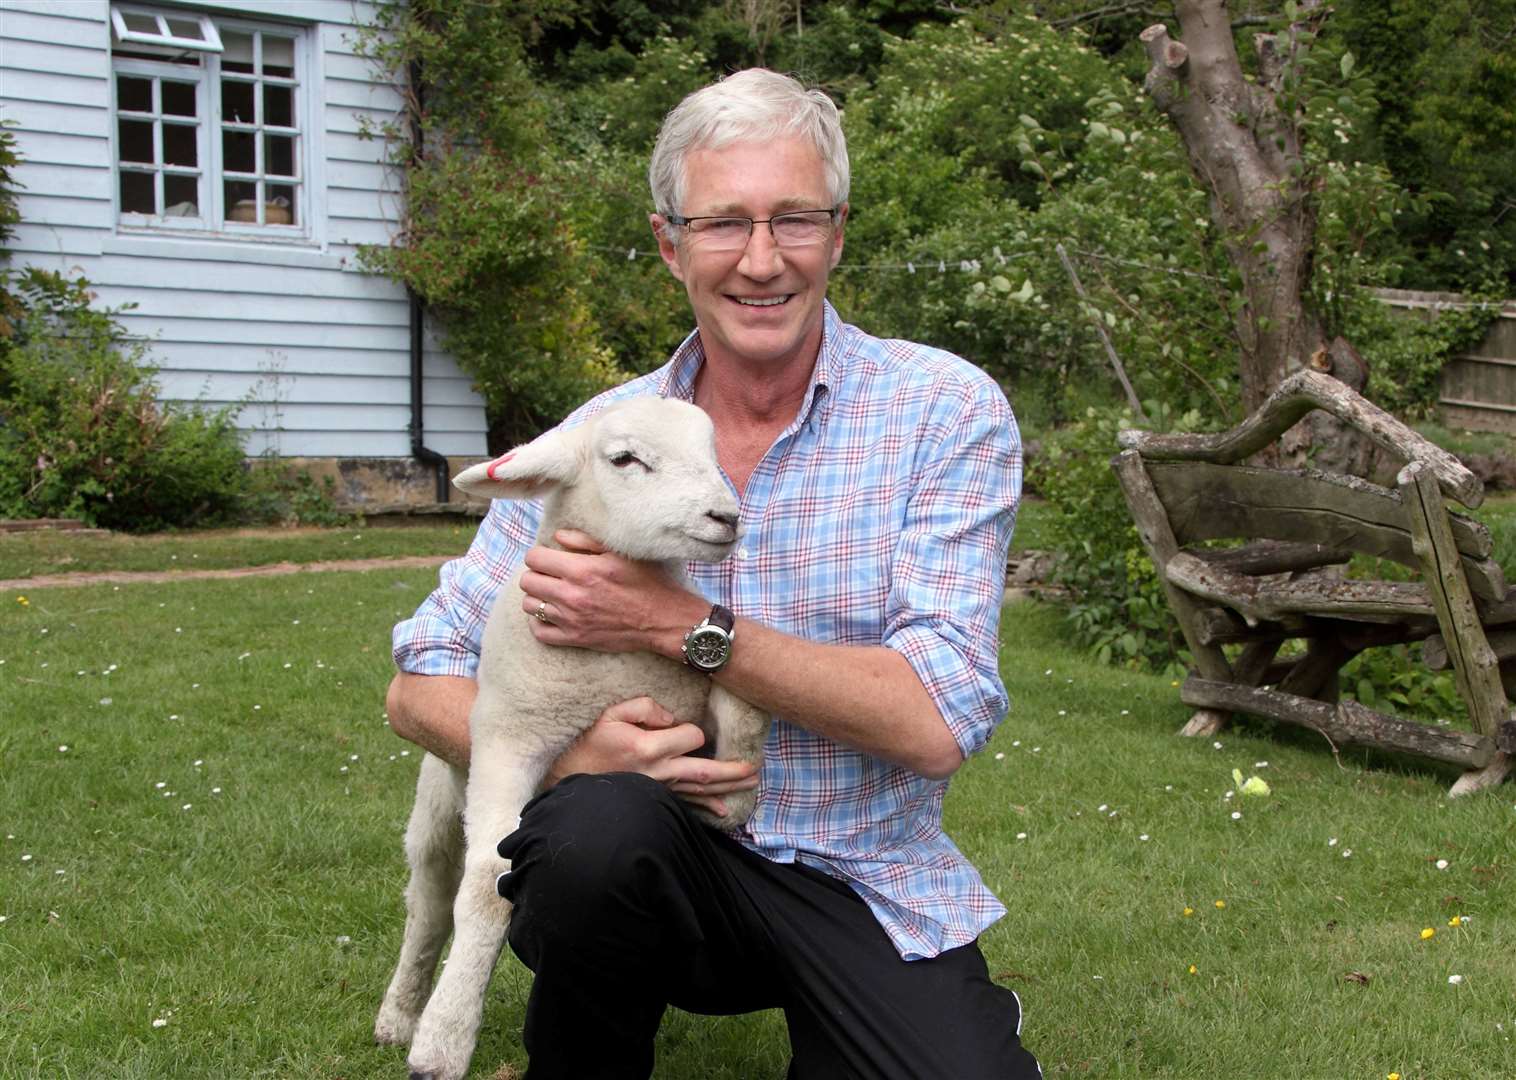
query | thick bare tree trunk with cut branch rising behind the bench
(1247,152)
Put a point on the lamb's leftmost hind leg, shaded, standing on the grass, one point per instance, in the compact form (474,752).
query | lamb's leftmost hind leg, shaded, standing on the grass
(434,847)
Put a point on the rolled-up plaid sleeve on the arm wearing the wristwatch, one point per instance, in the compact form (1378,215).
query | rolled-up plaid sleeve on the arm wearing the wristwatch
(950,562)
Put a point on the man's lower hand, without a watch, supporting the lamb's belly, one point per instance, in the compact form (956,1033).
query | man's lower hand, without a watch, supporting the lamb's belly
(642,736)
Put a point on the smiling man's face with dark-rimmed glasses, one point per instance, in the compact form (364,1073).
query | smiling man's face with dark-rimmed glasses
(762,304)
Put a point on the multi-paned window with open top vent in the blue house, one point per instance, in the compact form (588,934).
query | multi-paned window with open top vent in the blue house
(210,124)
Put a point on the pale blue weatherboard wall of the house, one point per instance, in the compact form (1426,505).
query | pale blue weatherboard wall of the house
(322,348)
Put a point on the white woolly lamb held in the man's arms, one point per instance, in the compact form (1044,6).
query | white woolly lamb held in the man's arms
(642,479)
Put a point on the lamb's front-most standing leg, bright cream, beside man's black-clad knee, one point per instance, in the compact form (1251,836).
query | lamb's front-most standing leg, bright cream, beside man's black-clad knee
(449,1029)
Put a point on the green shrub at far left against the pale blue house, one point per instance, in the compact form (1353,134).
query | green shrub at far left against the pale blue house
(84,436)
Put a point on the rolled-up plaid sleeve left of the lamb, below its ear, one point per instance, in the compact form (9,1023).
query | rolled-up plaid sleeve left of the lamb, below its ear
(445,635)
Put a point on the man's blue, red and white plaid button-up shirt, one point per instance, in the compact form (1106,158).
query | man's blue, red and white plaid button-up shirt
(882,516)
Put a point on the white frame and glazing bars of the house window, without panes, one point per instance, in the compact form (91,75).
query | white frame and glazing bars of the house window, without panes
(211,128)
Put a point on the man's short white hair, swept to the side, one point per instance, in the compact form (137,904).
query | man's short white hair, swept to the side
(750,105)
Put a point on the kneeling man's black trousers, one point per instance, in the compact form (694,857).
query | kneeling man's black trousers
(627,905)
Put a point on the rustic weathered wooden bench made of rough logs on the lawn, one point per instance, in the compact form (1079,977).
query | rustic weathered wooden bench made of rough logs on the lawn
(1241,604)
